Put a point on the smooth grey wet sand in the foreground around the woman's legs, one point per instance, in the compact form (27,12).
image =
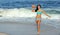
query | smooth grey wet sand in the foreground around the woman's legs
(27,28)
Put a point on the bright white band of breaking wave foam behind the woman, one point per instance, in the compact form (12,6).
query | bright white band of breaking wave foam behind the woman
(23,12)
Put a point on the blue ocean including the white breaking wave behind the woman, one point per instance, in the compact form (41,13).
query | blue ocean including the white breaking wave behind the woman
(18,9)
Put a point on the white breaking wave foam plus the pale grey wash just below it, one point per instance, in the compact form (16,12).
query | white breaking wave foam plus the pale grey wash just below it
(28,15)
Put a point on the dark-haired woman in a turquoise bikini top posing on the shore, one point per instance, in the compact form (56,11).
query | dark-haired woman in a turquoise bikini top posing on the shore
(38,16)
